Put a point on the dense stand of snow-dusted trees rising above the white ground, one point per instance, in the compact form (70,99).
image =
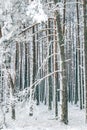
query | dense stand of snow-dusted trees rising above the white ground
(43,55)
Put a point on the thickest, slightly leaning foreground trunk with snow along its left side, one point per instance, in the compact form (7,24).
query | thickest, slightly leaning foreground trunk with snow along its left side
(64,116)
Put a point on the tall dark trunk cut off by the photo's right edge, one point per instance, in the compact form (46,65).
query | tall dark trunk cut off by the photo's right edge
(85,44)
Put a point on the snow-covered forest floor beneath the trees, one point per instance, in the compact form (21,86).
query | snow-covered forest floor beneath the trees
(44,119)
